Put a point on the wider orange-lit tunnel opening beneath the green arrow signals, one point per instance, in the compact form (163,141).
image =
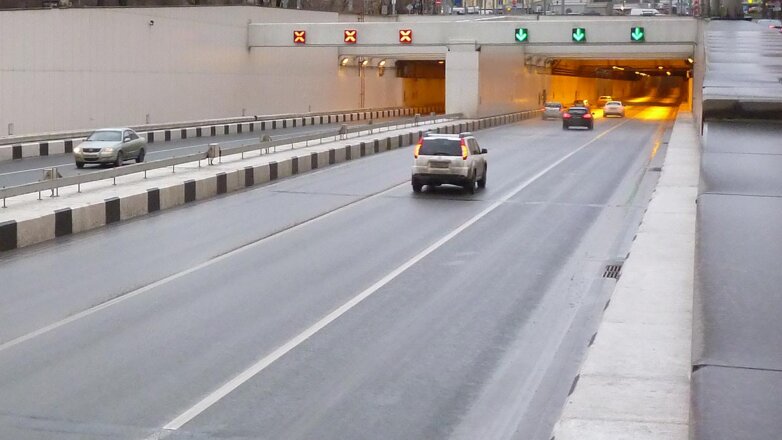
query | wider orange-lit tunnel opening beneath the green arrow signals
(652,82)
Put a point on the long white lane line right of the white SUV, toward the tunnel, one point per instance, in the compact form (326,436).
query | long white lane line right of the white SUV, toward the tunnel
(267,360)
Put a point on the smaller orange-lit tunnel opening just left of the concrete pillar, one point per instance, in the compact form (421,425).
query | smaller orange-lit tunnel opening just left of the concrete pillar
(423,82)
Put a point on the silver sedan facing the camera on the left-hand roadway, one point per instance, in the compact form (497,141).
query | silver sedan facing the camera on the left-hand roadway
(110,146)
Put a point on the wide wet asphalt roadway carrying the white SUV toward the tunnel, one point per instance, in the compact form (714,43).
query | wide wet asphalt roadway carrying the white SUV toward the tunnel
(334,305)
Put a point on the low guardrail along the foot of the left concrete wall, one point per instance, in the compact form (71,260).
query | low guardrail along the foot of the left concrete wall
(8,140)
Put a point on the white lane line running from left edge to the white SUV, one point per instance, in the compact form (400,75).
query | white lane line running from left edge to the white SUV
(168,279)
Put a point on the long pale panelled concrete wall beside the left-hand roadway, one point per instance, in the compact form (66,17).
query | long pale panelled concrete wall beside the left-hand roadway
(65,69)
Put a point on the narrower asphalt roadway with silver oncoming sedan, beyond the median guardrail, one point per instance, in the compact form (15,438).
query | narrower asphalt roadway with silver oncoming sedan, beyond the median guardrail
(29,170)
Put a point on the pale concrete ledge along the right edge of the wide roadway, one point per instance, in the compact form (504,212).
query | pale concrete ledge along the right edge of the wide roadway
(635,381)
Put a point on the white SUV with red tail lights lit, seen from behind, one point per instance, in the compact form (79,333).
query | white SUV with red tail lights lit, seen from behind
(454,159)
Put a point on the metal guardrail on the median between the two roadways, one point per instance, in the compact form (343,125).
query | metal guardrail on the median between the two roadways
(56,183)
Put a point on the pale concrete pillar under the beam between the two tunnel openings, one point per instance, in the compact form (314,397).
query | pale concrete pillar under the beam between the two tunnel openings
(462,80)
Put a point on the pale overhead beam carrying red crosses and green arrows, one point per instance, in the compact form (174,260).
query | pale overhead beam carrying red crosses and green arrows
(612,31)
